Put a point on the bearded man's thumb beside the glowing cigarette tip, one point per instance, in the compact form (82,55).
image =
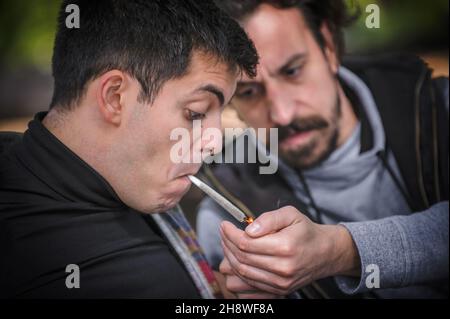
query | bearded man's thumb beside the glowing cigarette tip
(274,221)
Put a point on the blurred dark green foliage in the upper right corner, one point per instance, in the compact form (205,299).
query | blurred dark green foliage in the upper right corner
(405,24)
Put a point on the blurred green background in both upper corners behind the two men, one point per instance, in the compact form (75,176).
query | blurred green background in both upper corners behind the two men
(27,30)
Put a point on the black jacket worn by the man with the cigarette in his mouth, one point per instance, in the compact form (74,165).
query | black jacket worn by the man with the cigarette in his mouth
(55,210)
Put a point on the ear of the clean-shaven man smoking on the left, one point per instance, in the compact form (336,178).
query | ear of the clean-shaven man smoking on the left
(110,95)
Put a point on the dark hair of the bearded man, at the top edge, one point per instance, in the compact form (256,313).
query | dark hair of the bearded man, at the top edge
(333,12)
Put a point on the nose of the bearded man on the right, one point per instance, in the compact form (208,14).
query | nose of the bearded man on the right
(281,108)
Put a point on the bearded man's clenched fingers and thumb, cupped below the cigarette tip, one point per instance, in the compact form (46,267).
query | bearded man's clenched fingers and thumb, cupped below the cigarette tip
(264,255)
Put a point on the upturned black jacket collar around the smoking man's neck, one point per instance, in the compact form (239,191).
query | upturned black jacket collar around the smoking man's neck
(61,170)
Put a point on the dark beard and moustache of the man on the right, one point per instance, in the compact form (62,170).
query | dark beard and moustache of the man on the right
(321,145)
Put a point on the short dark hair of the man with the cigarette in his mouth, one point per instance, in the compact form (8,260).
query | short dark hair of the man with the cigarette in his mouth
(152,41)
